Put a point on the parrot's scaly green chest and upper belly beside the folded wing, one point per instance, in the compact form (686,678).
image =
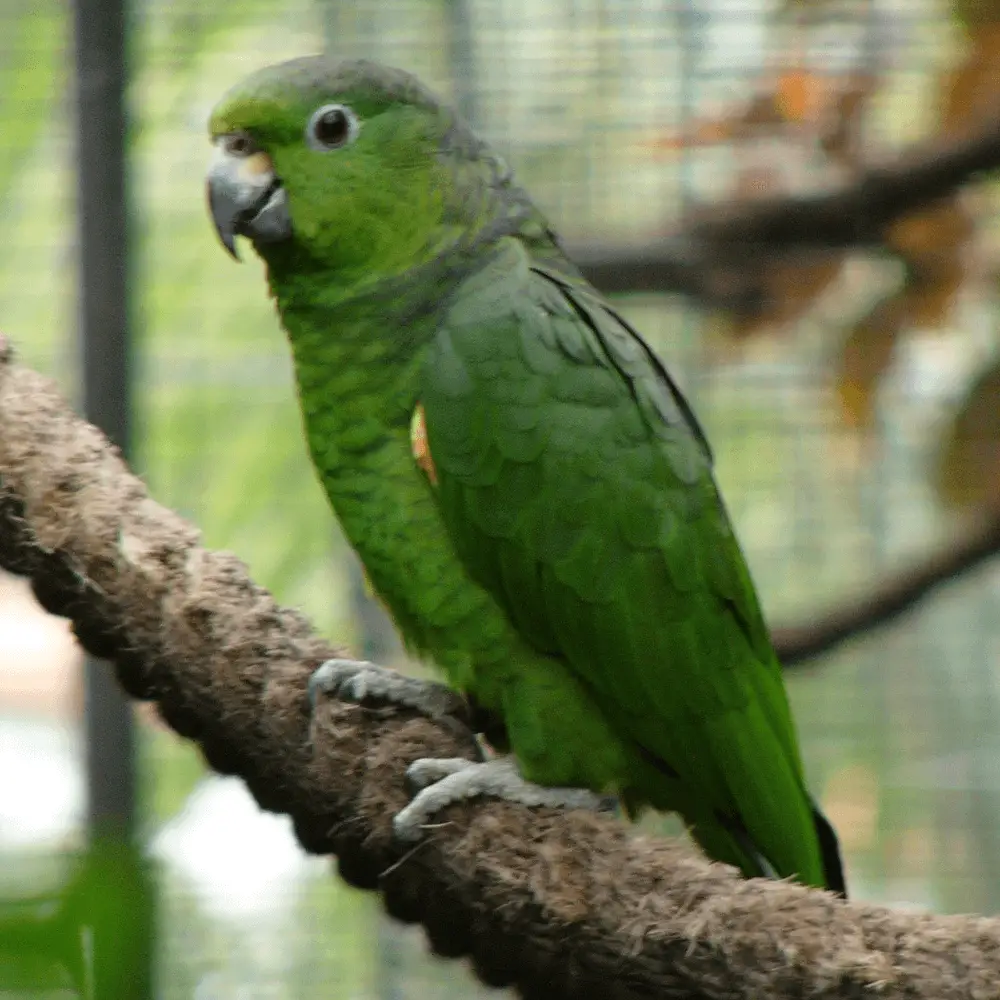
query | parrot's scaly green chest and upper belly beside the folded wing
(359,395)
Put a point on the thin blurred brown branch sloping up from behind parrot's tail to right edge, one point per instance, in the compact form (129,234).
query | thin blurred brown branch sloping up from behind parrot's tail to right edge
(799,645)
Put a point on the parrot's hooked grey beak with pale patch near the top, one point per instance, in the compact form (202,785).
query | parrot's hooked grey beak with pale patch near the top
(246,198)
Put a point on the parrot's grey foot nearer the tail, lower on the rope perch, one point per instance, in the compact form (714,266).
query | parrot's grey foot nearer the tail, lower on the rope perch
(439,783)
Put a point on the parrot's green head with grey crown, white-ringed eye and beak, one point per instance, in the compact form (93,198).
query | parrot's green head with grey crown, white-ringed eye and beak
(349,165)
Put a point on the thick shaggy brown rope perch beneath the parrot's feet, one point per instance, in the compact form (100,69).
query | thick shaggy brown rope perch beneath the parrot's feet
(560,904)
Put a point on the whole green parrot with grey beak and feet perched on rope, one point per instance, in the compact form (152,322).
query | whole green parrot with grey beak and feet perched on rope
(530,494)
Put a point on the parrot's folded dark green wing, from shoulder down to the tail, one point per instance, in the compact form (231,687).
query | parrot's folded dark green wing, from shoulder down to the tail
(577,488)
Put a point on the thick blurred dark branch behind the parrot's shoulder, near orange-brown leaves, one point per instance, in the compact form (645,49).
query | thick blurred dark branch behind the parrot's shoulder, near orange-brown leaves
(717,257)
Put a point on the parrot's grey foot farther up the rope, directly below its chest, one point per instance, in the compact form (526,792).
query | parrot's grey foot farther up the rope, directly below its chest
(359,681)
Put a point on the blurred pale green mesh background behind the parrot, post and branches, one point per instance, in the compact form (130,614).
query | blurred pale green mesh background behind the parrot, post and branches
(853,411)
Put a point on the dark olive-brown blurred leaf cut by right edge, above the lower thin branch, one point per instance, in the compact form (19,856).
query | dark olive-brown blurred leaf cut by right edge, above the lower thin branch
(968,469)
